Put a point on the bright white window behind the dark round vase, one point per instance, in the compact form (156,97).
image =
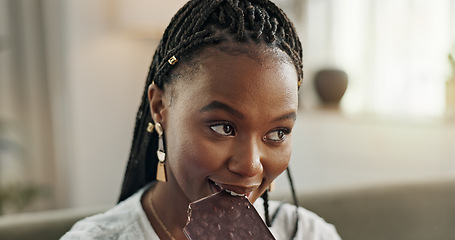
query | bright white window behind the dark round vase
(395,52)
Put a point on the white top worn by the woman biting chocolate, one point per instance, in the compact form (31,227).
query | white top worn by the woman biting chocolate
(127,220)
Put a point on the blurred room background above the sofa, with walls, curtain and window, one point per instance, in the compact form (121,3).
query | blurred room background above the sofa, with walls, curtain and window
(72,73)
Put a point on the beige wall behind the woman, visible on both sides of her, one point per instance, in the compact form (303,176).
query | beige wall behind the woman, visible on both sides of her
(105,69)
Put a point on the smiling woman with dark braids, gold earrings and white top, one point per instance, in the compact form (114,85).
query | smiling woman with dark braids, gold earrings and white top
(217,113)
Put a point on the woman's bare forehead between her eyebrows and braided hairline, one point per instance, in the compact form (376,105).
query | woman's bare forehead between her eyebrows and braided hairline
(238,78)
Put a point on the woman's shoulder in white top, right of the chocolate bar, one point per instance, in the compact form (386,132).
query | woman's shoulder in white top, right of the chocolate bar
(287,220)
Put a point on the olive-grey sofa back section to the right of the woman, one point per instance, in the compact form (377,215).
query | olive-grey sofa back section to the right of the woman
(410,211)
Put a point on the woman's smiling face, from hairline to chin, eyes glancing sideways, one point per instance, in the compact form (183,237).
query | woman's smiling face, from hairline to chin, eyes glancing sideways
(228,123)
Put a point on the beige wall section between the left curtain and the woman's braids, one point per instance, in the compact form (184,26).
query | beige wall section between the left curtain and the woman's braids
(106,70)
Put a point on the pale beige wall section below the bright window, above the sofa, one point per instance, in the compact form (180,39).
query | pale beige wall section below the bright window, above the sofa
(333,151)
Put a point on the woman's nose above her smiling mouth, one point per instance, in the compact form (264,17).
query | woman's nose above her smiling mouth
(246,159)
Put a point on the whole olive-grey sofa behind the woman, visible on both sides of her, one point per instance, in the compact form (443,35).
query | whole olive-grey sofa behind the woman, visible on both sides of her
(409,211)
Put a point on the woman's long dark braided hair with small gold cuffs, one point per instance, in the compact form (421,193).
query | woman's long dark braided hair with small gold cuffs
(198,24)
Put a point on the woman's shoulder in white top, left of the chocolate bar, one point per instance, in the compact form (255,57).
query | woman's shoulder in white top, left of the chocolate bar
(127,220)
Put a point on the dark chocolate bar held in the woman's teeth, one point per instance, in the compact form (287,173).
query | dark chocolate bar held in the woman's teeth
(223,216)
